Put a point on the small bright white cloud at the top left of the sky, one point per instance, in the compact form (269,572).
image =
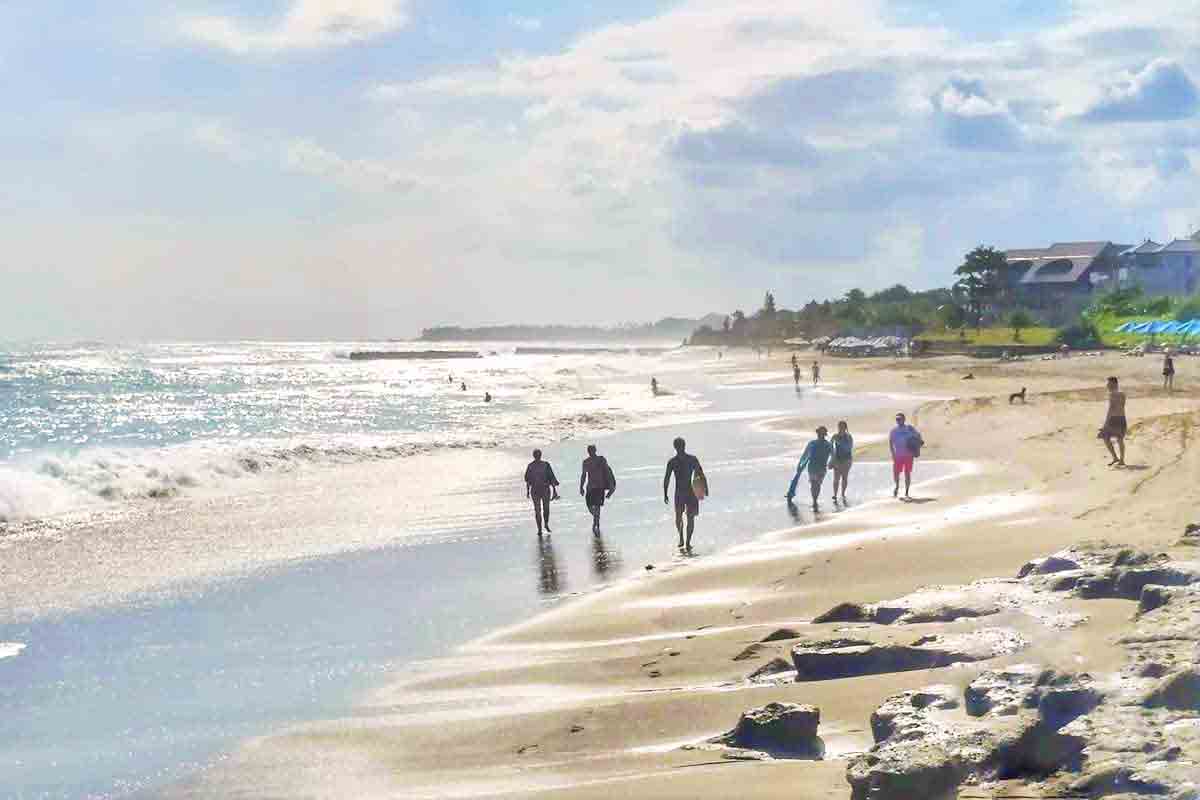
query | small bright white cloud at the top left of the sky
(308,25)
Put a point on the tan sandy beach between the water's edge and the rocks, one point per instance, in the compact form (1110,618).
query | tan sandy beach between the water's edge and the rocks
(596,699)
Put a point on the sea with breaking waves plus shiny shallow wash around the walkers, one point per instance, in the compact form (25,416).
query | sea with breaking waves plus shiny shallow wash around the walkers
(208,543)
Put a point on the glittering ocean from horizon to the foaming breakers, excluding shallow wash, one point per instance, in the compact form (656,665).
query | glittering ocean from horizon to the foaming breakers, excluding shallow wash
(83,426)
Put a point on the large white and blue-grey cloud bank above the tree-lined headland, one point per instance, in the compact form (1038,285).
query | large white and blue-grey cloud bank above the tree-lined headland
(790,136)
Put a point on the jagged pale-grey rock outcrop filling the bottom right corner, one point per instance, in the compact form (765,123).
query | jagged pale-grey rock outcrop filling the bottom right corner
(1130,735)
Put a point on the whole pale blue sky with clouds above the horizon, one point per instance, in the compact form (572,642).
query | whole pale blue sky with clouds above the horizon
(367,169)
